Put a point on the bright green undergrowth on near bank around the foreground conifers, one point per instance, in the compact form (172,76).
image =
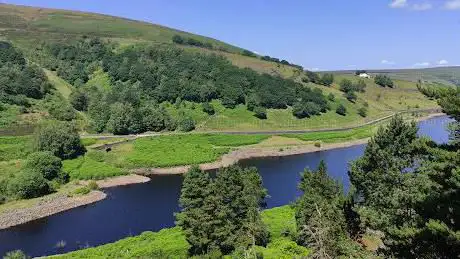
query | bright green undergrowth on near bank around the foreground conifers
(171,243)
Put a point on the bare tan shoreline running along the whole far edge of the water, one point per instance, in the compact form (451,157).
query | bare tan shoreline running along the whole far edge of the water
(51,205)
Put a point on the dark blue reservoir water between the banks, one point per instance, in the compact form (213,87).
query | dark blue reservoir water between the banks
(131,210)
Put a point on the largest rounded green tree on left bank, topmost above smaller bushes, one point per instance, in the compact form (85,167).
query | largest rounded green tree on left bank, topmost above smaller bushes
(59,138)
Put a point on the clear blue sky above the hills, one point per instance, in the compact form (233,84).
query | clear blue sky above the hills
(318,34)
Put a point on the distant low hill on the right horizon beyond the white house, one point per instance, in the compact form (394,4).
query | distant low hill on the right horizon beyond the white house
(437,75)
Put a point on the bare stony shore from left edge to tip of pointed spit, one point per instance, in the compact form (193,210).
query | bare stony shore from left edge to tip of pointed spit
(62,201)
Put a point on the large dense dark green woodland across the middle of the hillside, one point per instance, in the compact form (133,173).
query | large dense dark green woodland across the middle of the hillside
(147,76)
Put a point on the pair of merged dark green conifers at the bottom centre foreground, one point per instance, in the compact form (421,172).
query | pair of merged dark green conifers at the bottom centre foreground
(221,214)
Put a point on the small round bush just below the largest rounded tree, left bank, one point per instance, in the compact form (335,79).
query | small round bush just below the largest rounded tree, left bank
(45,163)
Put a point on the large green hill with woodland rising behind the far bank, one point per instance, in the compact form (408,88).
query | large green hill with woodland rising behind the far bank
(153,71)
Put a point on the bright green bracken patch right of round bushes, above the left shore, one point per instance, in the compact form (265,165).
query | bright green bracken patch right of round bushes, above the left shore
(90,167)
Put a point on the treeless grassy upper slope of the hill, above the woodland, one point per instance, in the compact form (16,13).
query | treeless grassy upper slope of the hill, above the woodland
(25,24)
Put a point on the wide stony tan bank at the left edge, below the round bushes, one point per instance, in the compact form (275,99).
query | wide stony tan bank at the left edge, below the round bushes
(47,206)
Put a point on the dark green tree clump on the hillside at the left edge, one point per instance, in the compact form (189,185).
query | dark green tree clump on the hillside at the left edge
(19,80)
